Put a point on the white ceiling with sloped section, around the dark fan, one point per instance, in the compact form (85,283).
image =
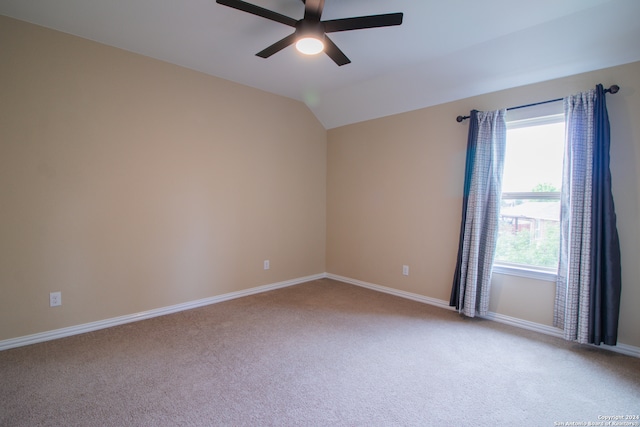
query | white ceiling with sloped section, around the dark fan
(444,50)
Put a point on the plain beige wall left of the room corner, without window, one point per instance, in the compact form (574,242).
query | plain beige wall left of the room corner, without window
(131,184)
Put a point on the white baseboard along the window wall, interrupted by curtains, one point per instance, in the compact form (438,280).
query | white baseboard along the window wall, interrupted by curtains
(629,350)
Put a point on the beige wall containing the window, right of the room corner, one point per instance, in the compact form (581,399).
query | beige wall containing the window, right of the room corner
(394,194)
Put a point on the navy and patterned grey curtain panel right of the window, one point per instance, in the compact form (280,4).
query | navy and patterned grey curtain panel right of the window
(588,287)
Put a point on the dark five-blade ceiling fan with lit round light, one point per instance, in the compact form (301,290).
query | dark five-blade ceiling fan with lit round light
(310,32)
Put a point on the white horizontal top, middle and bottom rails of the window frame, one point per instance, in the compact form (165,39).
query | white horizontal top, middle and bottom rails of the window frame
(537,117)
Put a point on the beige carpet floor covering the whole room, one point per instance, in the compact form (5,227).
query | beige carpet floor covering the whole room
(322,353)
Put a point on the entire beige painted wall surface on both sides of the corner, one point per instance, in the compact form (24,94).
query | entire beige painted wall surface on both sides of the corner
(131,184)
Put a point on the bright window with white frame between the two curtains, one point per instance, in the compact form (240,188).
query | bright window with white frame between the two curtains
(529,230)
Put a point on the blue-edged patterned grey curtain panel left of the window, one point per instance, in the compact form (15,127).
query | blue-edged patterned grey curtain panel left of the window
(480,212)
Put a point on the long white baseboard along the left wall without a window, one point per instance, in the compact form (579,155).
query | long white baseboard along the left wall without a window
(121,320)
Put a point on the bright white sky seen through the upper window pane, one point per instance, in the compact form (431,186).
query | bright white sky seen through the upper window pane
(533,156)
